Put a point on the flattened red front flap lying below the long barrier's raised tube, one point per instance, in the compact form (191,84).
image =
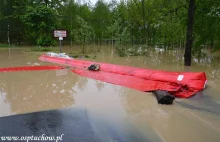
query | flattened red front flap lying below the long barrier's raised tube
(136,83)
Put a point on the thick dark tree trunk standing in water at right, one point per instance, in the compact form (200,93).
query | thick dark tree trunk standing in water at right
(189,36)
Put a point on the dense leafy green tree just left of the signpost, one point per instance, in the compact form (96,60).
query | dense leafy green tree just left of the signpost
(40,20)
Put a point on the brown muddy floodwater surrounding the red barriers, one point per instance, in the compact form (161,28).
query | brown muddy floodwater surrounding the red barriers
(188,120)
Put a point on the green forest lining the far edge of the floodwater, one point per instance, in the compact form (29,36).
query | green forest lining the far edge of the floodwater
(128,22)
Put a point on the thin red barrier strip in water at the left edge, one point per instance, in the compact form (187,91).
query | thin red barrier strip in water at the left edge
(30,68)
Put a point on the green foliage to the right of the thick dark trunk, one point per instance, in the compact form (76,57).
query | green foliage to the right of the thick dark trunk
(207,29)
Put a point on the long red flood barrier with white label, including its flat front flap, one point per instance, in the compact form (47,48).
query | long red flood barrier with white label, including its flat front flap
(179,84)
